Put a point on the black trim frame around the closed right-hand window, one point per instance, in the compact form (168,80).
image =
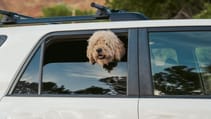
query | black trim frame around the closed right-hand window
(148,93)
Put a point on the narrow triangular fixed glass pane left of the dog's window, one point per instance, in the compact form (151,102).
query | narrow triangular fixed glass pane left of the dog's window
(28,83)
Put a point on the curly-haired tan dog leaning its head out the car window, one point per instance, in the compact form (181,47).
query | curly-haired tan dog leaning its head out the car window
(105,48)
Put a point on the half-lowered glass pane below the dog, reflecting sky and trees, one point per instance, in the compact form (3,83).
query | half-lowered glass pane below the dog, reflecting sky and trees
(83,78)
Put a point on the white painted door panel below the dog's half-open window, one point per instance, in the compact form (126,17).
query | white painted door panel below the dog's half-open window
(68,108)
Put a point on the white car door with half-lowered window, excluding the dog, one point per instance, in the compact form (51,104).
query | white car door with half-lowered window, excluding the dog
(58,82)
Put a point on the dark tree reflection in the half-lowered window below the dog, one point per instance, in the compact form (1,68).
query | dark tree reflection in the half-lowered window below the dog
(117,86)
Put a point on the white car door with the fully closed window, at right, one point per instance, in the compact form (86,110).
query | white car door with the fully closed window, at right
(176,83)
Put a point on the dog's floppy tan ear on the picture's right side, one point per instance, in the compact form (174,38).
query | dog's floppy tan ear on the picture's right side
(119,51)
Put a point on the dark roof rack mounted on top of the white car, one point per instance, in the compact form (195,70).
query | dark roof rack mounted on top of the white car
(102,13)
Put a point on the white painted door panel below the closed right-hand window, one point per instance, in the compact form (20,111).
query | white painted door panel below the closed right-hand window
(174,108)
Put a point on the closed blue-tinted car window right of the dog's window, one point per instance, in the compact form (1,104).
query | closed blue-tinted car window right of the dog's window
(180,62)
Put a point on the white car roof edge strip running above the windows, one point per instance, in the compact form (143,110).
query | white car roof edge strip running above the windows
(108,25)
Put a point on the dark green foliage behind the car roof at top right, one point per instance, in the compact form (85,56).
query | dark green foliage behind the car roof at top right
(160,9)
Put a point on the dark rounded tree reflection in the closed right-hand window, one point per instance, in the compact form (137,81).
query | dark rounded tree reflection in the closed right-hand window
(177,80)
